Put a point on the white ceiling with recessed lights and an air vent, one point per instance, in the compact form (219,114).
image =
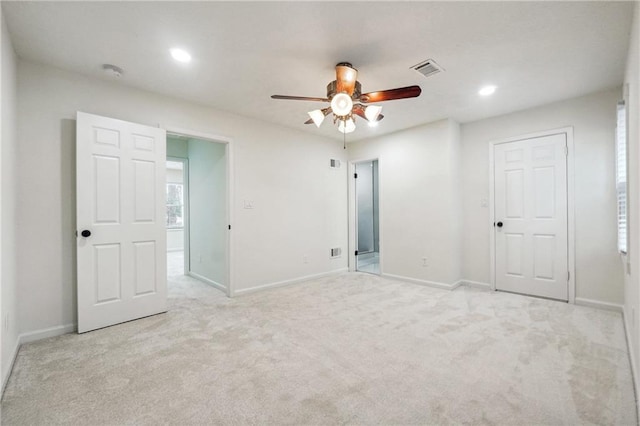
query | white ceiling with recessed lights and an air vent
(243,52)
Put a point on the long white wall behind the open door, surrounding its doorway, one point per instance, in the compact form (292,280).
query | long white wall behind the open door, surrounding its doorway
(285,173)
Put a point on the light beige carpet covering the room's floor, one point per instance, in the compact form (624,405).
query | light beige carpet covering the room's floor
(351,349)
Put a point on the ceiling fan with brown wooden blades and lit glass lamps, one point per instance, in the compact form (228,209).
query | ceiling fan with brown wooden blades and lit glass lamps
(347,100)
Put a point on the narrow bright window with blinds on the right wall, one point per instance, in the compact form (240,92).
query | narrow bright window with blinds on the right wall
(621,175)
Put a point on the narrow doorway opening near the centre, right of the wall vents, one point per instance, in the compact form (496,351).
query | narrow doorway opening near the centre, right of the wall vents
(367,217)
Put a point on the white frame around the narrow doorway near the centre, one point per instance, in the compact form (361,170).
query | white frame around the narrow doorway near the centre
(353,211)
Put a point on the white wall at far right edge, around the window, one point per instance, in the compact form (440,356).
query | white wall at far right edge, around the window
(632,281)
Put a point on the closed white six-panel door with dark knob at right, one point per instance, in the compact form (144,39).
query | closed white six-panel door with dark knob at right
(530,205)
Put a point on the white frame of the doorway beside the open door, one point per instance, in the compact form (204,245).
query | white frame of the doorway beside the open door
(229,198)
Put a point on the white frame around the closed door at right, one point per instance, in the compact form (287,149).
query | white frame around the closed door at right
(568,132)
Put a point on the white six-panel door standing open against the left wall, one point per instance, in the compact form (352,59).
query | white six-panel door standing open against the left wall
(121,221)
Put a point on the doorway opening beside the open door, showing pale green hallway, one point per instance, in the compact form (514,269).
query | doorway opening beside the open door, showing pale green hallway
(197,210)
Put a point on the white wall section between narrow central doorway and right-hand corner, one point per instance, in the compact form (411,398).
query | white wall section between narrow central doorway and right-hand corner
(419,200)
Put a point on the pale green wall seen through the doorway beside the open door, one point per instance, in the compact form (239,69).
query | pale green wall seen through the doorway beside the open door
(207,210)
